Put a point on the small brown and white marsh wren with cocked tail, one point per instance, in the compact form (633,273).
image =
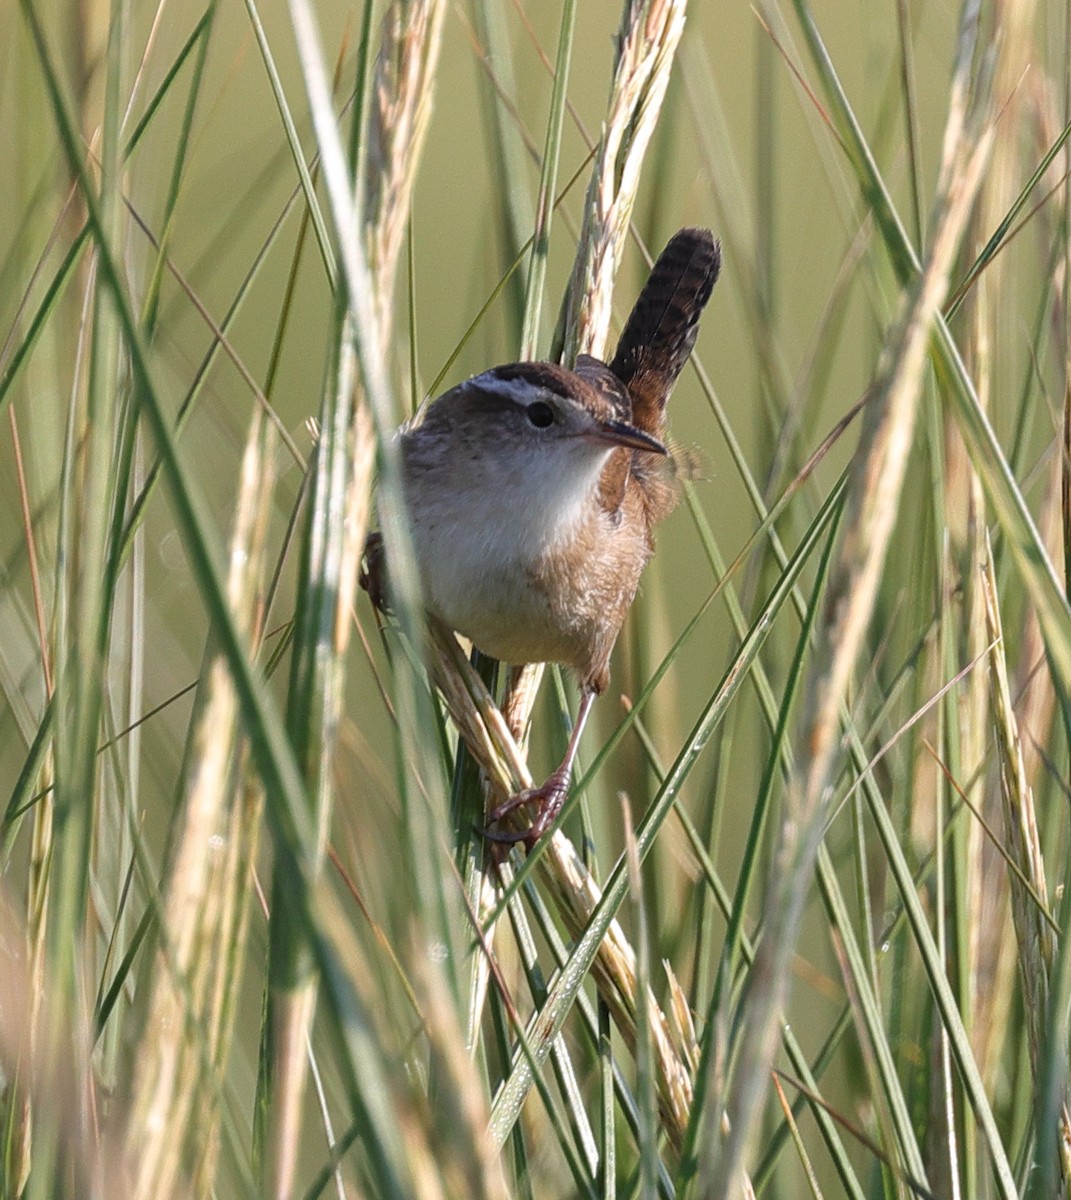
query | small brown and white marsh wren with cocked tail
(534,491)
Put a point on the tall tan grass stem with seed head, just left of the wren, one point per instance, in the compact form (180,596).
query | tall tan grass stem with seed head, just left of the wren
(397,124)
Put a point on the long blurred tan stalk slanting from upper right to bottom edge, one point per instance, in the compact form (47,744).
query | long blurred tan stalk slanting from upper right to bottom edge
(877,479)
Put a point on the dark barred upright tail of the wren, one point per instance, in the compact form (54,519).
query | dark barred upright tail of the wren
(661,332)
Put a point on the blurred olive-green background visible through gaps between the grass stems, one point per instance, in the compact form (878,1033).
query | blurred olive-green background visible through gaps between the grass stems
(791,341)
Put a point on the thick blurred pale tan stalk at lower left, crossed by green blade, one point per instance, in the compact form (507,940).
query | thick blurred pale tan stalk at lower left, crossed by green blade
(173,1133)
